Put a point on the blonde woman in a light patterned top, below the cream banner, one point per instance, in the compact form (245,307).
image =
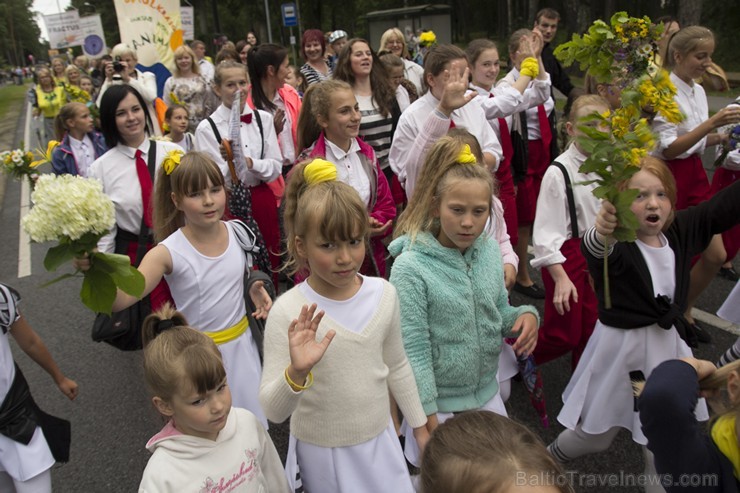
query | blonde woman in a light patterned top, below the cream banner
(188,88)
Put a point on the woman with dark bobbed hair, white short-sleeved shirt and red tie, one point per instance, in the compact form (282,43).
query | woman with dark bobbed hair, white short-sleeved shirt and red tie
(126,172)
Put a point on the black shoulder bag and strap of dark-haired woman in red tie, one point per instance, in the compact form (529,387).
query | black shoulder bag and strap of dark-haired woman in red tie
(122,330)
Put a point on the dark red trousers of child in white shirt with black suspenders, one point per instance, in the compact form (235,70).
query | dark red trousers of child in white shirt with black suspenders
(560,334)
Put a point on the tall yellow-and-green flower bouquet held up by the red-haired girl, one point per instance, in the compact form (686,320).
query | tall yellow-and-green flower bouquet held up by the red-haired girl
(620,53)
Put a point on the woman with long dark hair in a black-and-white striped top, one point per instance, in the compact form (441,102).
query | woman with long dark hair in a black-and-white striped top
(360,67)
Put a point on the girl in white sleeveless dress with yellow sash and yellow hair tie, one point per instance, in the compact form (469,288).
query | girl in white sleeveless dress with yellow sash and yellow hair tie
(203,260)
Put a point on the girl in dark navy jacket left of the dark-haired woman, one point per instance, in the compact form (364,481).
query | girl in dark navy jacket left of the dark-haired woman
(80,144)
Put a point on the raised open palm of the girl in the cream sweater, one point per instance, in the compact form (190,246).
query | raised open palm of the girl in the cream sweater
(305,350)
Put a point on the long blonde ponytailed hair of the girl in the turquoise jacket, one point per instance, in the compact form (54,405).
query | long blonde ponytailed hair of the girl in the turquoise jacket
(441,169)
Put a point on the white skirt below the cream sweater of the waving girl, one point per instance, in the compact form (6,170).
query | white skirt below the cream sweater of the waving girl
(370,467)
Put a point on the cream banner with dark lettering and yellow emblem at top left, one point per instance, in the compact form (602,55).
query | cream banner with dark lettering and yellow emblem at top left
(152,28)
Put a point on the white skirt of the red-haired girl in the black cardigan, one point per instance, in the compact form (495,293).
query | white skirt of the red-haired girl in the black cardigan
(599,395)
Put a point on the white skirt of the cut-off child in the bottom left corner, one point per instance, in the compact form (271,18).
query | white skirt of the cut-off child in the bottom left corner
(23,462)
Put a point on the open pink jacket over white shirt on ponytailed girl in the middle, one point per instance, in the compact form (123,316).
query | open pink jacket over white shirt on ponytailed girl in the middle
(381,206)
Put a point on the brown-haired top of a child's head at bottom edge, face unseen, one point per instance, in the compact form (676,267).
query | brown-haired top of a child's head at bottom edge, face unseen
(480,452)
